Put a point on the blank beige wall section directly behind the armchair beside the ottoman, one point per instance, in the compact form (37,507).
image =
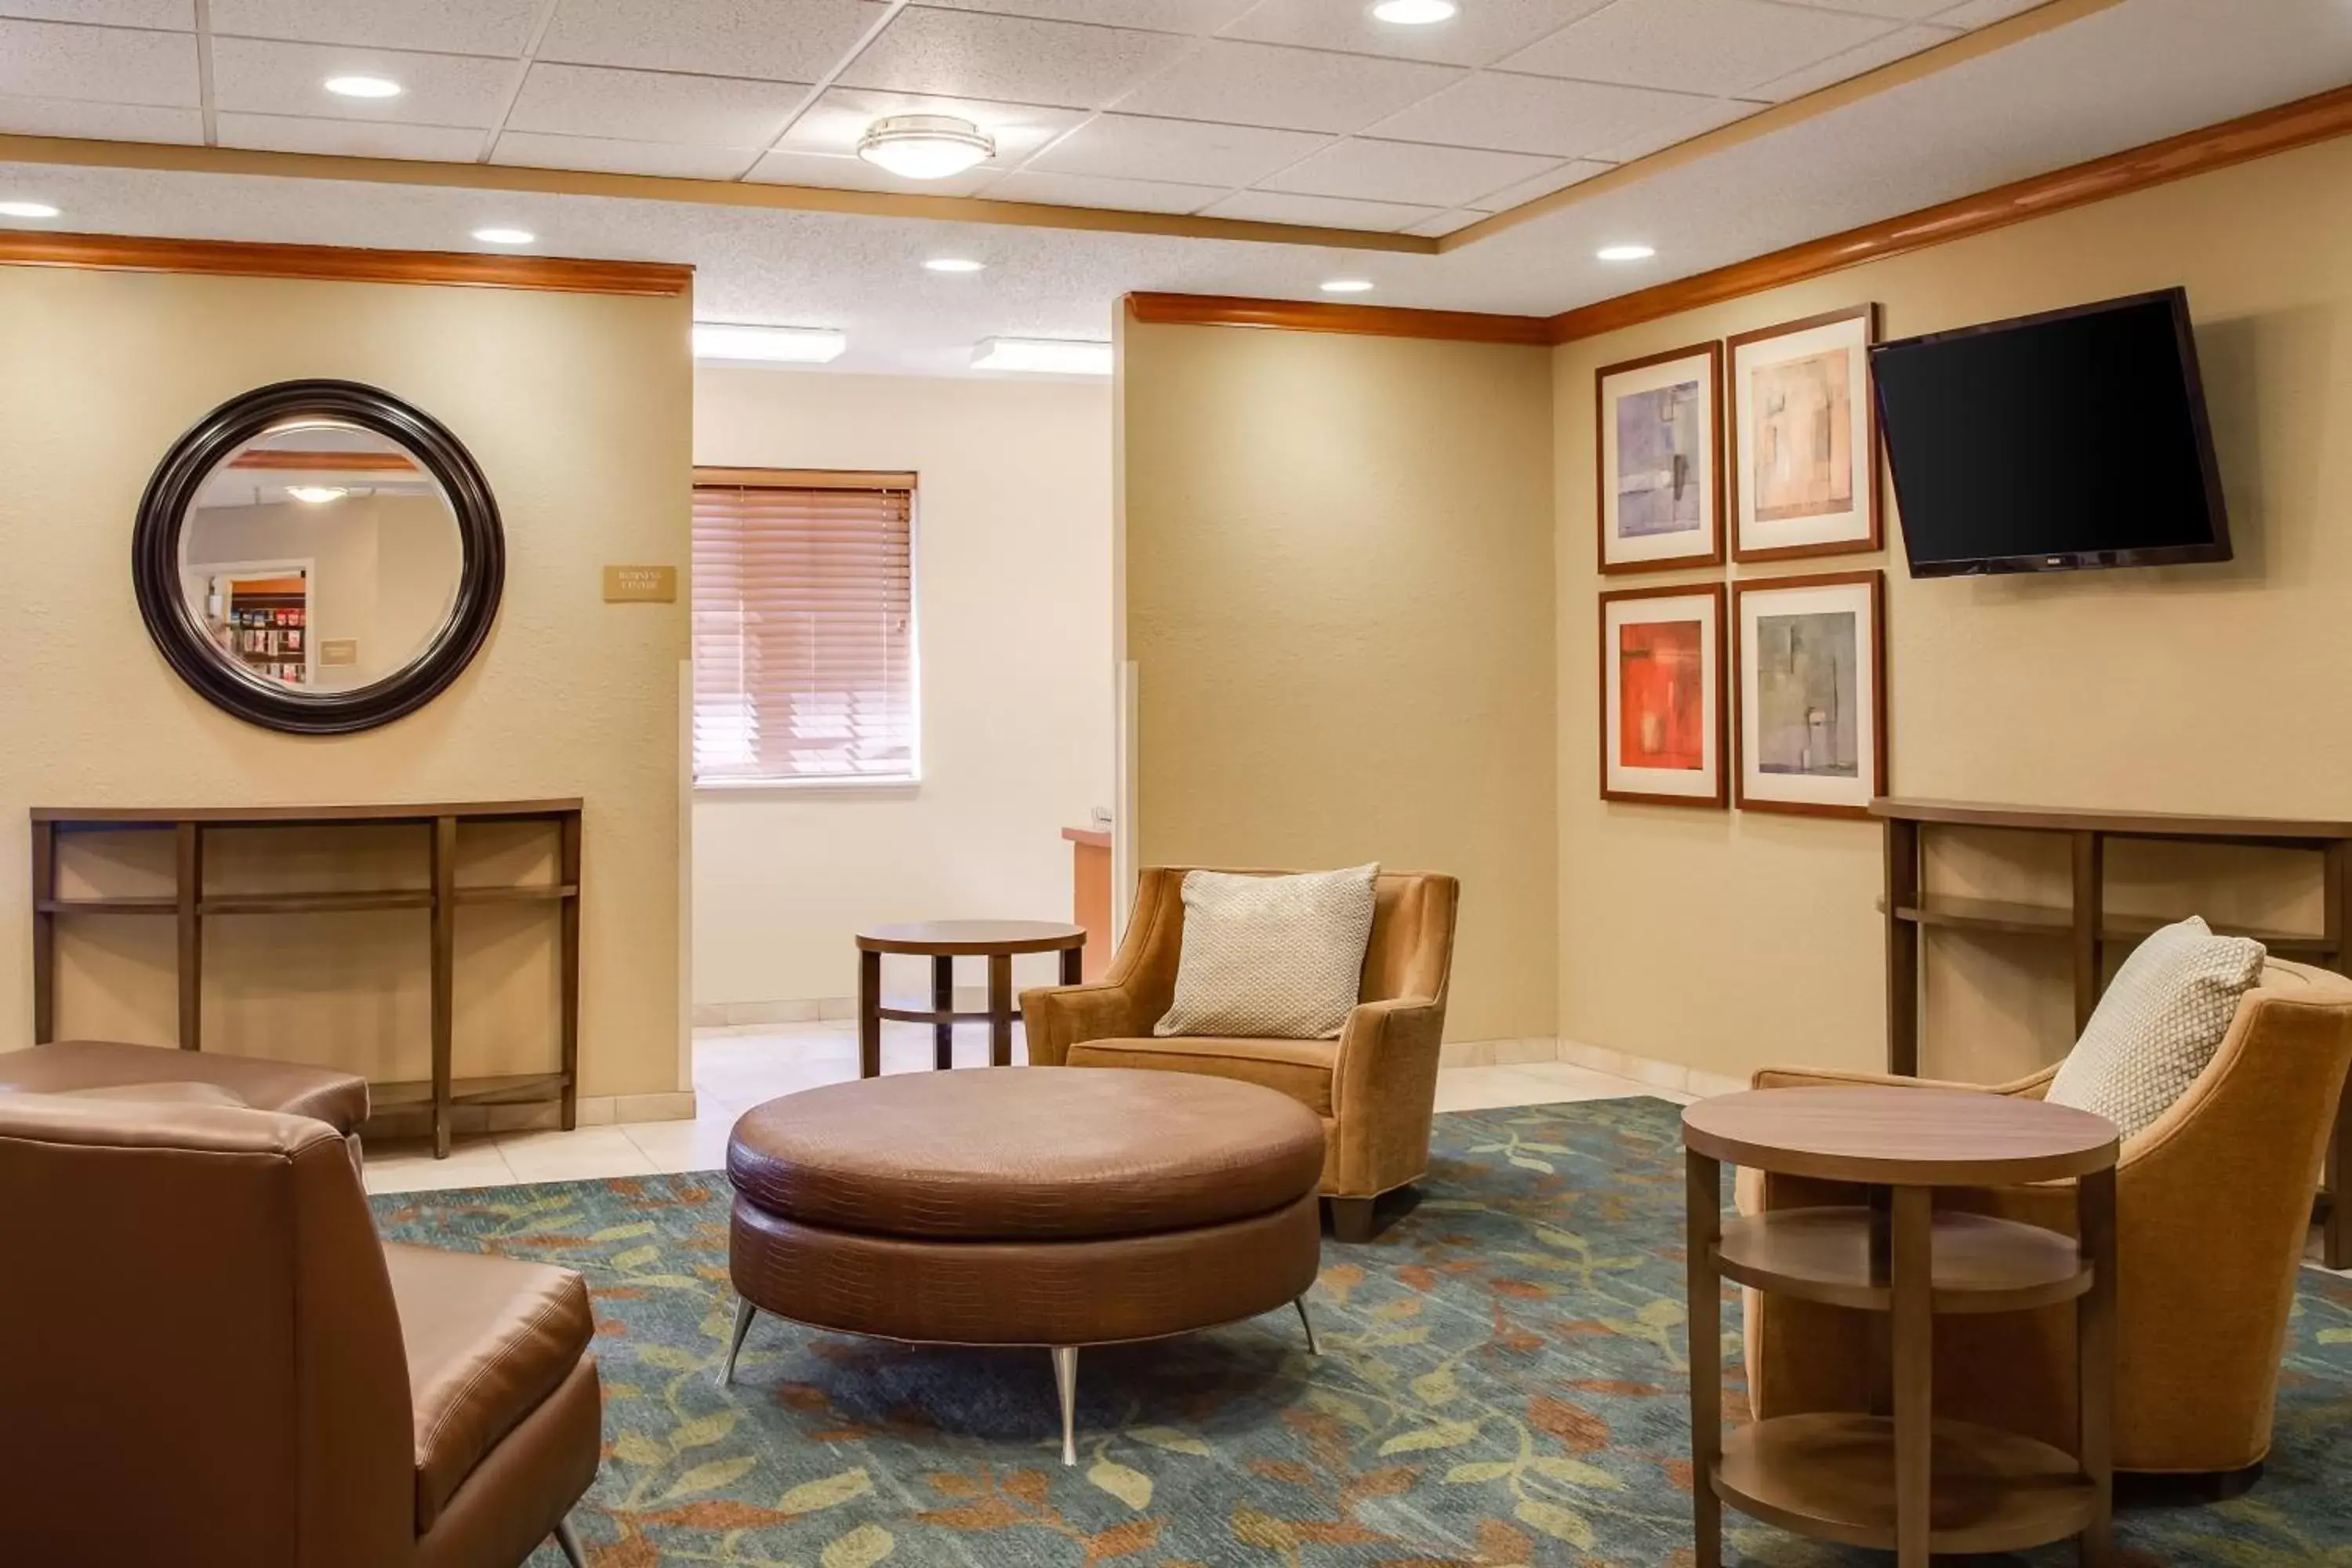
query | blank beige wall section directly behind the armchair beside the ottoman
(1337,591)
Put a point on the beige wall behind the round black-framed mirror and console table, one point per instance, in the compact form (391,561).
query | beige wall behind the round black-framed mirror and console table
(577,410)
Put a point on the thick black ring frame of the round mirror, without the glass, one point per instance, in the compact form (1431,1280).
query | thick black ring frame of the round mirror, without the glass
(196,657)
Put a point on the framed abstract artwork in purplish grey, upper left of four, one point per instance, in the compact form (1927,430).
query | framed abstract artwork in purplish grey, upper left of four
(1662,474)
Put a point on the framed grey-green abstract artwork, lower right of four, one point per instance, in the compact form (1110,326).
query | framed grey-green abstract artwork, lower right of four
(1810,674)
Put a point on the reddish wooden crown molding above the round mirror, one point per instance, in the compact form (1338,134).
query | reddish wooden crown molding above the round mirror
(347,264)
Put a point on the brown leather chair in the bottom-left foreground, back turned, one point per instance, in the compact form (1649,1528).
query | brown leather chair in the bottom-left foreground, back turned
(211,1360)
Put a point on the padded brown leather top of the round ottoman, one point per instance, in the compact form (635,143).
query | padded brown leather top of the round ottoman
(1022,1153)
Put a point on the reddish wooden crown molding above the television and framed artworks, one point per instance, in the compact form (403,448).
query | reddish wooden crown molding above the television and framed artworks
(2214,147)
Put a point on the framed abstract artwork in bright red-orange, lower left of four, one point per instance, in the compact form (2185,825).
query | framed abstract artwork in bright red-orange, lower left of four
(1664,695)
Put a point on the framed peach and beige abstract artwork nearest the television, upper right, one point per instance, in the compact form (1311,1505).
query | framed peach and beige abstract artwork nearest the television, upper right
(1805,445)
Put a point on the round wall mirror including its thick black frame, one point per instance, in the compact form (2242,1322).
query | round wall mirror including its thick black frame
(319,558)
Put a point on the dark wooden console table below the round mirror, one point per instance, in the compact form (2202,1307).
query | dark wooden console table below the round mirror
(439,899)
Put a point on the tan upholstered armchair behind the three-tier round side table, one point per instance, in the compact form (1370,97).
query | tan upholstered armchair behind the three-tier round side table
(2214,1207)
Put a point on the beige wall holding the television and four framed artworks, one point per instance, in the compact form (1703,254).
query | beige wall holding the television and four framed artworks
(1739,939)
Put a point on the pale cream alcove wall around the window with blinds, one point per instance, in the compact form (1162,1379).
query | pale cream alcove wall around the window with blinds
(1013,608)
